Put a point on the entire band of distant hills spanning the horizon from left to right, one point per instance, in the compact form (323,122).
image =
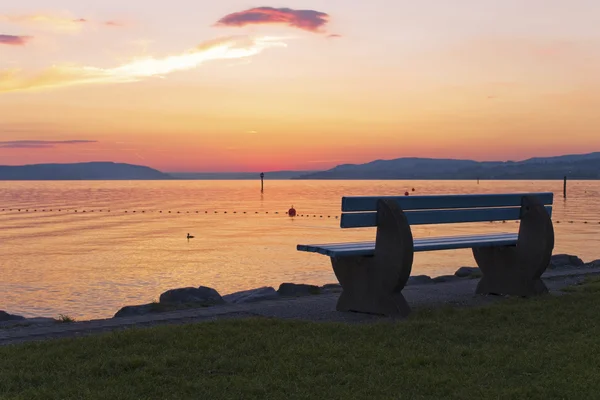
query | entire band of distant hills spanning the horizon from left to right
(574,166)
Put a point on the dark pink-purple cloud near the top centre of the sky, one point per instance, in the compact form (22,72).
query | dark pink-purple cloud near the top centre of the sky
(309,20)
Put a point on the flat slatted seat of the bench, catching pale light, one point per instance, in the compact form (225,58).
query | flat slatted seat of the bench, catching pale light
(423,244)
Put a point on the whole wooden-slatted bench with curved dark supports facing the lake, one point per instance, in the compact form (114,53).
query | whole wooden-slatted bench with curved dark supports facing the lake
(372,274)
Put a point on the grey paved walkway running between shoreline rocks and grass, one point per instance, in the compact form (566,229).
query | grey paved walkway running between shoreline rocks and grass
(312,308)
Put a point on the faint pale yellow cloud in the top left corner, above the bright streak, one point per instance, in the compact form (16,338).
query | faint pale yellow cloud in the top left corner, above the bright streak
(59,23)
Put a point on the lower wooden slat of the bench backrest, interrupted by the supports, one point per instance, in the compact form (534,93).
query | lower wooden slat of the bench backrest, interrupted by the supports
(369,219)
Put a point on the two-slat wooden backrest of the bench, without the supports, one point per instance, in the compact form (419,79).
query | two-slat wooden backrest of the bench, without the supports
(360,211)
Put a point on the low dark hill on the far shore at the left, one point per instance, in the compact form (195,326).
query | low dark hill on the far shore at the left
(81,171)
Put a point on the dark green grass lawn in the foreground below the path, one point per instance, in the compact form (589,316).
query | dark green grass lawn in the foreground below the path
(545,348)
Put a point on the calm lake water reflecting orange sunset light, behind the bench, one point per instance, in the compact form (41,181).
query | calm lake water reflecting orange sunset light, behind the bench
(88,265)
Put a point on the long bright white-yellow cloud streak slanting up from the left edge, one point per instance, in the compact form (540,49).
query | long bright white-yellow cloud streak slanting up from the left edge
(220,49)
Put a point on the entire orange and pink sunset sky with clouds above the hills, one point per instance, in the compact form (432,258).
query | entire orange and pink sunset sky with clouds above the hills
(239,86)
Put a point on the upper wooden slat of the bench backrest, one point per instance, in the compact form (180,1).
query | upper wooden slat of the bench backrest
(369,203)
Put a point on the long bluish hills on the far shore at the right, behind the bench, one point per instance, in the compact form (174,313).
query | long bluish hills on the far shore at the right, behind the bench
(583,166)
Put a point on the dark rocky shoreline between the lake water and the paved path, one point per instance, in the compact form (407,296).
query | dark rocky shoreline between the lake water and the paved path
(188,302)
